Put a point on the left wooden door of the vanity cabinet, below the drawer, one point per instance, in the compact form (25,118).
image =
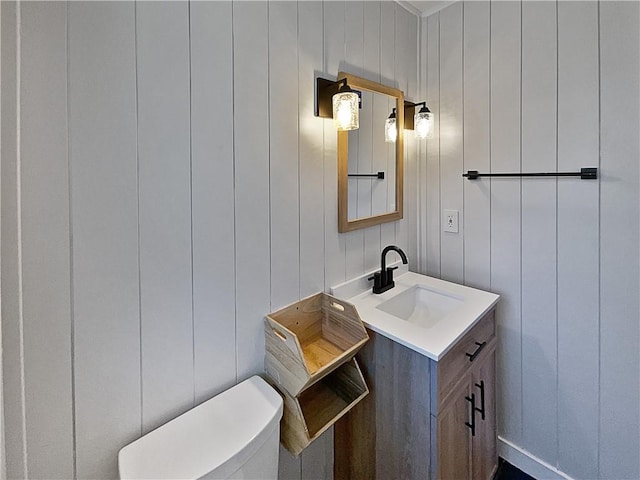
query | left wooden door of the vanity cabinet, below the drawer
(454,435)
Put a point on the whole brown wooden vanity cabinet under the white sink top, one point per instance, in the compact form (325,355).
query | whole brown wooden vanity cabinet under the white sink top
(417,421)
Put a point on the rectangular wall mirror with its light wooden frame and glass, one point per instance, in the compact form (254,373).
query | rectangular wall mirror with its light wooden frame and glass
(370,170)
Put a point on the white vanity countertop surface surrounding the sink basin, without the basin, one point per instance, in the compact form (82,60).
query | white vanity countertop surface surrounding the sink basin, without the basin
(433,341)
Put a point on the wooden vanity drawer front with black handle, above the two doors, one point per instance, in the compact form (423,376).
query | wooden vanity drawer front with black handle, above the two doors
(465,354)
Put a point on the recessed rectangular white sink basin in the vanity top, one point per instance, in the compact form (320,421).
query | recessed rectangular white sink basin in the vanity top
(421,305)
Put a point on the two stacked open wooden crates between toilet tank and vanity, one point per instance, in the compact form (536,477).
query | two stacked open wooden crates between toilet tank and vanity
(309,358)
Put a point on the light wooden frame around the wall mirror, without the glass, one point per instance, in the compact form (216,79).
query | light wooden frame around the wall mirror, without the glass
(344,224)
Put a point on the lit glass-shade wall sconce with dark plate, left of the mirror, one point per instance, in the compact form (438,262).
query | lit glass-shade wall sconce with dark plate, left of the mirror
(338,101)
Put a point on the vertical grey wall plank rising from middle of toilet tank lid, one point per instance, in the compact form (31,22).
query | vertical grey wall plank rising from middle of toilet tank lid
(212,198)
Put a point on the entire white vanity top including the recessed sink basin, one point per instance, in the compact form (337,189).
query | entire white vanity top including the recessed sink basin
(425,314)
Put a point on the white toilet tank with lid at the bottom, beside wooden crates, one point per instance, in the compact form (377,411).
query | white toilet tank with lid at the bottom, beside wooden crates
(235,435)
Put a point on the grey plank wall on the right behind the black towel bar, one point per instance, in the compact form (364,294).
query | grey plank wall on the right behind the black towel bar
(545,86)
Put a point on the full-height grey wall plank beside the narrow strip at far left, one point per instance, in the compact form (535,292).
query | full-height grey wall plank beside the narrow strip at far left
(43,126)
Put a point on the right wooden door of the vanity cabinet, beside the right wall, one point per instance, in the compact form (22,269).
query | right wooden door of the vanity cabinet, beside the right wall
(484,445)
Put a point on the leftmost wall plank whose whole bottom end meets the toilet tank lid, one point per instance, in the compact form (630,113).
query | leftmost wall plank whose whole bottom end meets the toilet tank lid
(164,210)
